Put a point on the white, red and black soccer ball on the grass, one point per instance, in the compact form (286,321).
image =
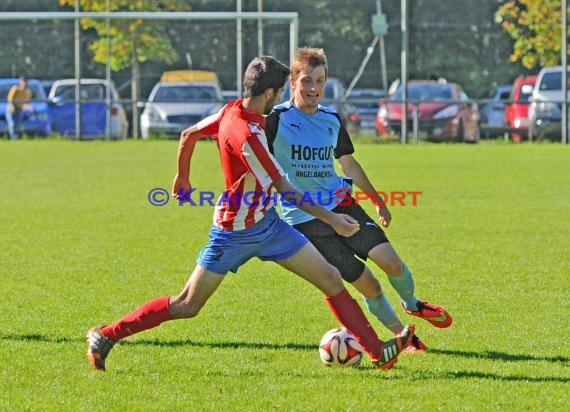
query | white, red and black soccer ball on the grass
(339,347)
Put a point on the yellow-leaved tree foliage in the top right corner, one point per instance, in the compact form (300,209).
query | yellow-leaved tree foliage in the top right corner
(535,26)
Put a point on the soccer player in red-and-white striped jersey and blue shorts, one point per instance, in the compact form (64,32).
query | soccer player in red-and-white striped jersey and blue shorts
(245,229)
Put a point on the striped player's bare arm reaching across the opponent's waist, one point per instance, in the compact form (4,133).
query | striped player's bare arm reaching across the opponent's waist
(343,224)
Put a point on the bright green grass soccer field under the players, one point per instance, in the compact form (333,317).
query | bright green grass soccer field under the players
(80,245)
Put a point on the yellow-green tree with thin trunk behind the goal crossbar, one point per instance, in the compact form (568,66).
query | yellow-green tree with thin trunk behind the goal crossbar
(131,41)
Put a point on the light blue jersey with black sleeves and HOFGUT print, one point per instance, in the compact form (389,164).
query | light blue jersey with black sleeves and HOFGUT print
(305,146)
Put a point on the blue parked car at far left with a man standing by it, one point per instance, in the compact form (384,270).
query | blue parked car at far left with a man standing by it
(36,122)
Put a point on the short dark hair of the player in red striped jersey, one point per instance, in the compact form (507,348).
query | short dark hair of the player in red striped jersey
(264,72)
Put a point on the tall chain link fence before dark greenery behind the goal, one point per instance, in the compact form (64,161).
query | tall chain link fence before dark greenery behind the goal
(458,41)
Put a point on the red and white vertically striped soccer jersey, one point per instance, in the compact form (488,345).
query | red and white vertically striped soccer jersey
(249,168)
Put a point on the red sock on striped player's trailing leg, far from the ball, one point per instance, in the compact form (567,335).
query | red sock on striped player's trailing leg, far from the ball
(148,316)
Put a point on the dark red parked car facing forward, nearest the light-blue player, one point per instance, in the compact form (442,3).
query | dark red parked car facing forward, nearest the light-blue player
(444,112)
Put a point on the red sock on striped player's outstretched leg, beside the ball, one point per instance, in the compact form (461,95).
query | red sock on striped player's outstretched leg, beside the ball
(347,311)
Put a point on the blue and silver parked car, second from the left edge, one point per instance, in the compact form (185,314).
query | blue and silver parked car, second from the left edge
(94,110)
